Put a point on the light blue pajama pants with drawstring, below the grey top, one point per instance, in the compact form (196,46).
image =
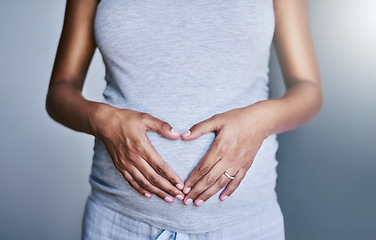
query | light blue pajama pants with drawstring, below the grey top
(101,223)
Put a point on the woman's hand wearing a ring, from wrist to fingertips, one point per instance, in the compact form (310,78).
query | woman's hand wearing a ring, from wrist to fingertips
(239,134)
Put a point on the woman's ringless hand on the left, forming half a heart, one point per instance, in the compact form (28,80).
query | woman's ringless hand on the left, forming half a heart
(124,134)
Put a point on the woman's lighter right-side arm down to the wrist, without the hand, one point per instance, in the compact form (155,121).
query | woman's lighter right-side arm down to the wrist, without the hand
(297,57)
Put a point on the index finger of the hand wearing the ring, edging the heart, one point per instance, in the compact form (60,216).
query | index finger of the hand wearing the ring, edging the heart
(203,167)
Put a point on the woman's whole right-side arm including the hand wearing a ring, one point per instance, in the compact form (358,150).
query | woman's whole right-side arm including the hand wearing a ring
(240,132)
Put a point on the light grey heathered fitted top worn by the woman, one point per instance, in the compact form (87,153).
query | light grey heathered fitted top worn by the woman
(182,62)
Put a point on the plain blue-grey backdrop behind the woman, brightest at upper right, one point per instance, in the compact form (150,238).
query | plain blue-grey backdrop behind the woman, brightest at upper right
(327,169)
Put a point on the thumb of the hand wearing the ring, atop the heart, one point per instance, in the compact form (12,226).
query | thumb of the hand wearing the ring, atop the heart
(211,124)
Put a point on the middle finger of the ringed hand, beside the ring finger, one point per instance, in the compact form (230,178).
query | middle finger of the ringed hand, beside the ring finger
(208,180)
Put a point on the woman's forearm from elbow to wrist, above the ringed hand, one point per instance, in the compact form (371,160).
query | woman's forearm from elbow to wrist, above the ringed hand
(301,102)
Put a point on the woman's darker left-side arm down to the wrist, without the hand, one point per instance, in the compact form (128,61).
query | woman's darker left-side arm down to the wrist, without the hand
(64,101)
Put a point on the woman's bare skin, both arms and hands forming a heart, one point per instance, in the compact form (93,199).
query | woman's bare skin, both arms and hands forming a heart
(239,132)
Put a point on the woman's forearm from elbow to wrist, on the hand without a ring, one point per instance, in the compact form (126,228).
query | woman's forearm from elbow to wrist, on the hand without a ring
(66,105)
